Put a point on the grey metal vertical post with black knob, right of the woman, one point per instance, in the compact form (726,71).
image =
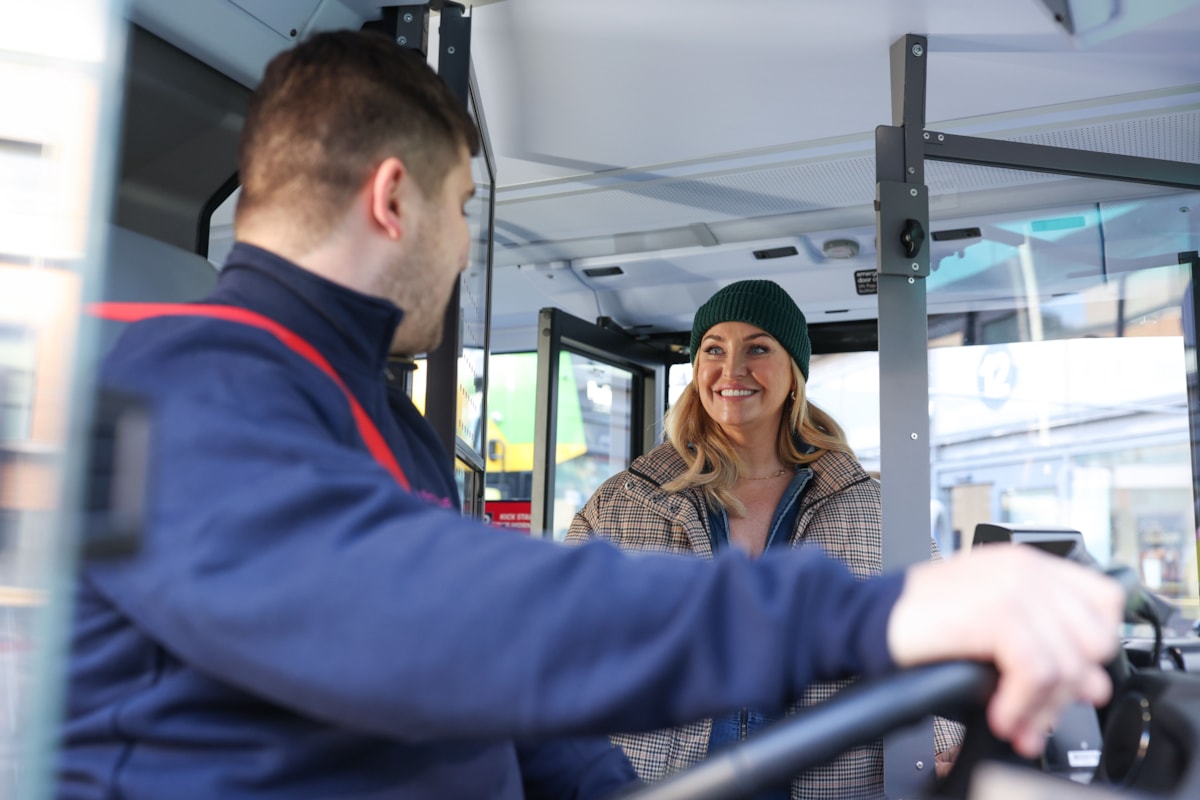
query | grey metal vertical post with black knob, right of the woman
(902,225)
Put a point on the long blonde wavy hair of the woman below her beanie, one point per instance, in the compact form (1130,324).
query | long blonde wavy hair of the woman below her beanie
(713,464)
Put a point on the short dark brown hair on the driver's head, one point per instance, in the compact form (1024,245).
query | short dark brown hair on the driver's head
(329,111)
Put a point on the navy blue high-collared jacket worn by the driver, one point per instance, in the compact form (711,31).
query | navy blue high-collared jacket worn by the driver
(297,625)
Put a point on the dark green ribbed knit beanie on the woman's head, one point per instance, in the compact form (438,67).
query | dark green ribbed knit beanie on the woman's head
(763,304)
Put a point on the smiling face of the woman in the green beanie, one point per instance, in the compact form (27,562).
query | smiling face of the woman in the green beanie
(743,376)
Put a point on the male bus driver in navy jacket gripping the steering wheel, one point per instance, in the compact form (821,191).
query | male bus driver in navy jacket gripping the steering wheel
(310,617)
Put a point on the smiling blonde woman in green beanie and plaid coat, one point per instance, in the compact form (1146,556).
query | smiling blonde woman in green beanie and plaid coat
(751,465)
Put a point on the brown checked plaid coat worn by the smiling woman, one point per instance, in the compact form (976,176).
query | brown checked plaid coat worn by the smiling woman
(839,512)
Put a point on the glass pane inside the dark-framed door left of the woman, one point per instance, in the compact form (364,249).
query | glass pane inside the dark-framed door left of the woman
(593,431)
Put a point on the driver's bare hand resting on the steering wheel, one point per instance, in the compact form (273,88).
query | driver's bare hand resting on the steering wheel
(1047,624)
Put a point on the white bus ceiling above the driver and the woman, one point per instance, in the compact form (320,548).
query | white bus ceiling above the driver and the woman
(674,140)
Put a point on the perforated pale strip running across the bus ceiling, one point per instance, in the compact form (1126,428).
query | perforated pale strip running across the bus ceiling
(646,202)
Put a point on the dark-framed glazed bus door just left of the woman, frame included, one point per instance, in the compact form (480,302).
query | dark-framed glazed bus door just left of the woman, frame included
(601,396)
